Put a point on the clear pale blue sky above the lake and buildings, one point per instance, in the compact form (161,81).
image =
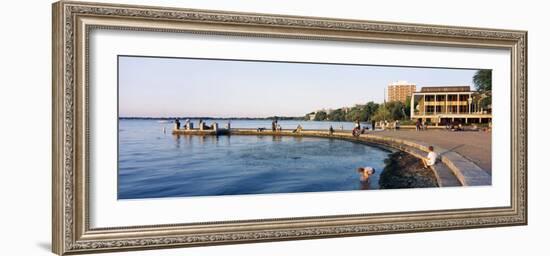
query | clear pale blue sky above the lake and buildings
(168,87)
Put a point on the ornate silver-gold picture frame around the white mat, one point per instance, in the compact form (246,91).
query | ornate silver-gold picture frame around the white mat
(72,22)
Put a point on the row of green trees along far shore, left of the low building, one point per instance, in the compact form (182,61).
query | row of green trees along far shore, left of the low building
(390,111)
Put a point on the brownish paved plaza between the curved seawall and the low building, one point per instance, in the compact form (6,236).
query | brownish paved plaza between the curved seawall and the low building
(475,146)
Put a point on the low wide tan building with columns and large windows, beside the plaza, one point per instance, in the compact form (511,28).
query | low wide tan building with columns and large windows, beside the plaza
(445,104)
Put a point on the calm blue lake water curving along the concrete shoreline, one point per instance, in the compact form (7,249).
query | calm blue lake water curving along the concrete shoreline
(155,164)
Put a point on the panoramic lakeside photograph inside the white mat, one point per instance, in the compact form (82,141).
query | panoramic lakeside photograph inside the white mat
(218,127)
